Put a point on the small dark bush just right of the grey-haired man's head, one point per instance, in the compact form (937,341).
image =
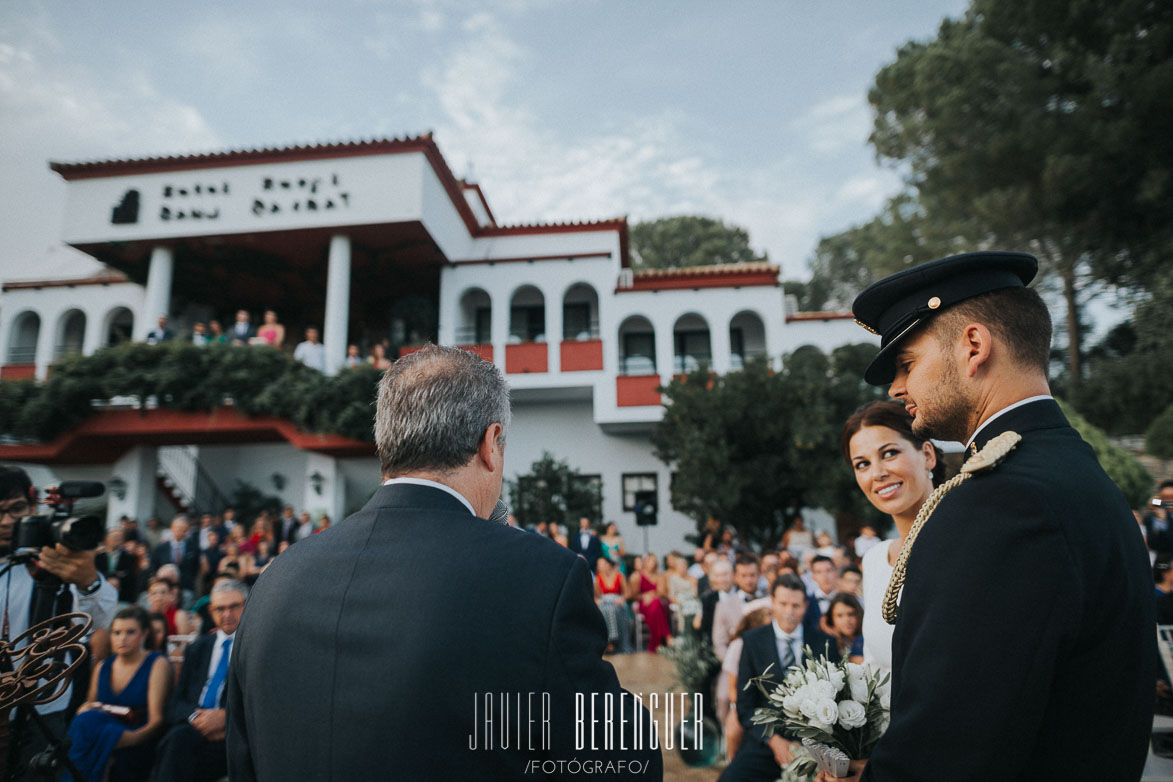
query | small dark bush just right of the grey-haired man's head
(554,492)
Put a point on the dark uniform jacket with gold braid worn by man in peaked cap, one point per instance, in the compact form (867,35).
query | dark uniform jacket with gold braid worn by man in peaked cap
(1025,644)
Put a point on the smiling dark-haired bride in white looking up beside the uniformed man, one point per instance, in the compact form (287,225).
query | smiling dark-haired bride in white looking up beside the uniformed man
(897,472)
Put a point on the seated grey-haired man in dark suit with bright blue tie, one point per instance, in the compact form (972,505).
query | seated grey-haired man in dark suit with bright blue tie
(193,749)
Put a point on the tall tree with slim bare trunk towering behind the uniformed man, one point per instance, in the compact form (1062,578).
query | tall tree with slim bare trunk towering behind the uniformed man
(1045,127)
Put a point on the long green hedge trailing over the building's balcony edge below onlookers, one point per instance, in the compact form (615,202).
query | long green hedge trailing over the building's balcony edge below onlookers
(186,377)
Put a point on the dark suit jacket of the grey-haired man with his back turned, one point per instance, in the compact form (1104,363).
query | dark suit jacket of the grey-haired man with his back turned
(389,631)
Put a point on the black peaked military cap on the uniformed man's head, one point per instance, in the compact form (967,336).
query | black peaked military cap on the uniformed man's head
(893,308)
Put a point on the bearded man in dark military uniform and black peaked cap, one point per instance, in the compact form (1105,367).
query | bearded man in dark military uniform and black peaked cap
(1025,643)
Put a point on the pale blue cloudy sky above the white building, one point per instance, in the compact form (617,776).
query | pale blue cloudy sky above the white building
(752,112)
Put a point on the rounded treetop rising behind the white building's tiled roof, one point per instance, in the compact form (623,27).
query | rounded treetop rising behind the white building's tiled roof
(690,241)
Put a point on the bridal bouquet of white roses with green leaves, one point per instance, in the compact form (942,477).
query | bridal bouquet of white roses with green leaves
(842,706)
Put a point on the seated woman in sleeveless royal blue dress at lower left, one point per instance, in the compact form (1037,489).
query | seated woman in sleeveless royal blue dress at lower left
(124,716)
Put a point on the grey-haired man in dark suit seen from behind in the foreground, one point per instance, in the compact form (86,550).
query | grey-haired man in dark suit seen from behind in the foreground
(417,620)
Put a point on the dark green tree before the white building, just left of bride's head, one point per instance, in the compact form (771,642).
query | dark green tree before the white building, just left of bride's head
(752,447)
